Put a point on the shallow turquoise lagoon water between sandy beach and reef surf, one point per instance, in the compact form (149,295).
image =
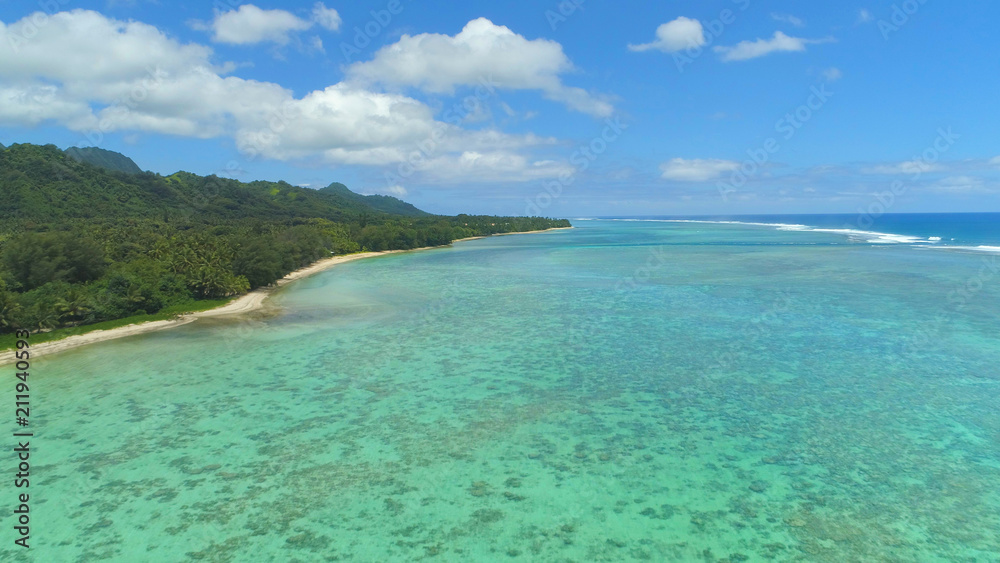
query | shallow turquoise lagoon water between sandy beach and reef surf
(623,391)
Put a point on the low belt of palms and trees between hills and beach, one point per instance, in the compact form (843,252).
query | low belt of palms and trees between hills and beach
(83,272)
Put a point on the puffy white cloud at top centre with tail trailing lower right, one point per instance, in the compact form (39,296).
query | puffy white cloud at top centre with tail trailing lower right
(482,53)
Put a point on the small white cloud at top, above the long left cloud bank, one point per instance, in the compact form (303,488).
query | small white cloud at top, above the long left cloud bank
(249,25)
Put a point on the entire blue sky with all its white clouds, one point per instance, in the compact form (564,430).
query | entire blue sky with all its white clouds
(571,108)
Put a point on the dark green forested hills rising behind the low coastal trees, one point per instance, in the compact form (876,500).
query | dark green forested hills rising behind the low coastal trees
(43,183)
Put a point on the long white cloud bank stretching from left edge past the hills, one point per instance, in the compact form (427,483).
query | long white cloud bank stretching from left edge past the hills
(97,75)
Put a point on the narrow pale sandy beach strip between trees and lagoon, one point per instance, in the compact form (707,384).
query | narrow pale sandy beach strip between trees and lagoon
(248,303)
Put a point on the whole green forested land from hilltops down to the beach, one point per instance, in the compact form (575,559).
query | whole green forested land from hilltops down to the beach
(81,243)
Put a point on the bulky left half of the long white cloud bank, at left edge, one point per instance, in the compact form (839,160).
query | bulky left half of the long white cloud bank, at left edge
(82,59)
